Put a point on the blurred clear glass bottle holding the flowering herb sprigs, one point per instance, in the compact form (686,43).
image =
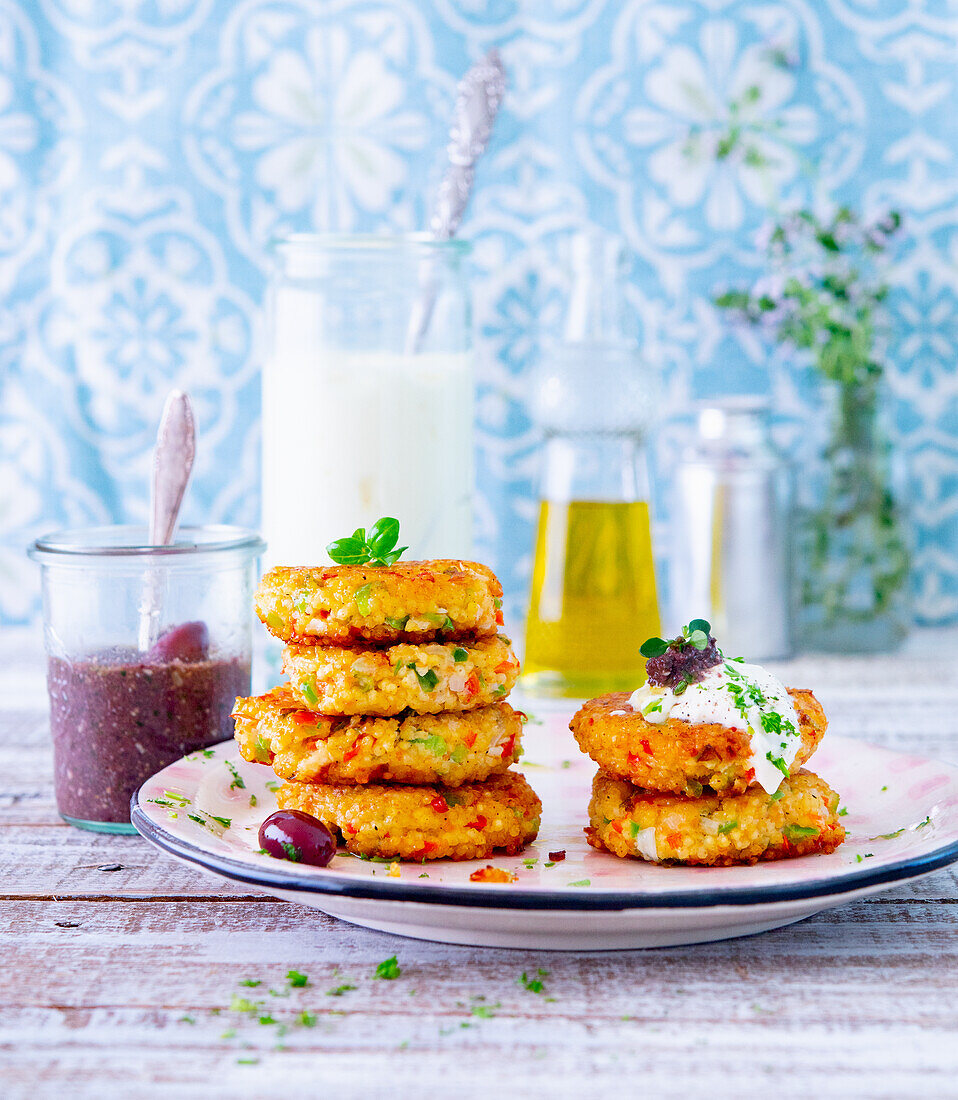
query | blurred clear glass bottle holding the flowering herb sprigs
(854,547)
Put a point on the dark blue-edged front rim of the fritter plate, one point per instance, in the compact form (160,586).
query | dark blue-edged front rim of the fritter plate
(508,897)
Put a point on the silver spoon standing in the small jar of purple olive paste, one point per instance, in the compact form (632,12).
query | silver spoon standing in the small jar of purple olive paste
(173,458)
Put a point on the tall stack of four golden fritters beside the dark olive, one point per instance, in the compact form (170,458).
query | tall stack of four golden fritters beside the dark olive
(394,728)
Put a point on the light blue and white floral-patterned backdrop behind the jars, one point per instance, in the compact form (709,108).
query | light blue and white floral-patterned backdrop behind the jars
(149,149)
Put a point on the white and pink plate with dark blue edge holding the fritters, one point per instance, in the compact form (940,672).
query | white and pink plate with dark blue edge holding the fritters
(902,822)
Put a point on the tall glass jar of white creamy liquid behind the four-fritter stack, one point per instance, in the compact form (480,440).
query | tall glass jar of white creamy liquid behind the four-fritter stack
(360,420)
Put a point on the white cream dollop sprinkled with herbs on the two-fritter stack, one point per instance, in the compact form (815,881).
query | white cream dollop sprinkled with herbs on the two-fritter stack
(736,696)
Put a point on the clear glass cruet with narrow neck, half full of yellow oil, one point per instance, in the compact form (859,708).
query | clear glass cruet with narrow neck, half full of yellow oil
(593,600)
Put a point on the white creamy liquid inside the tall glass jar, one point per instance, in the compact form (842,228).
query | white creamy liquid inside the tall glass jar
(351,436)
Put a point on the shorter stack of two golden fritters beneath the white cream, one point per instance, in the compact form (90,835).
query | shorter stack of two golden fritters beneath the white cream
(686,794)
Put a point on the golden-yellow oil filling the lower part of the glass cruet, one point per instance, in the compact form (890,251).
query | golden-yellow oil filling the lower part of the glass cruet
(594,599)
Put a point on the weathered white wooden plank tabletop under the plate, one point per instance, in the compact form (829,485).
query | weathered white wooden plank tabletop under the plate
(119,969)
